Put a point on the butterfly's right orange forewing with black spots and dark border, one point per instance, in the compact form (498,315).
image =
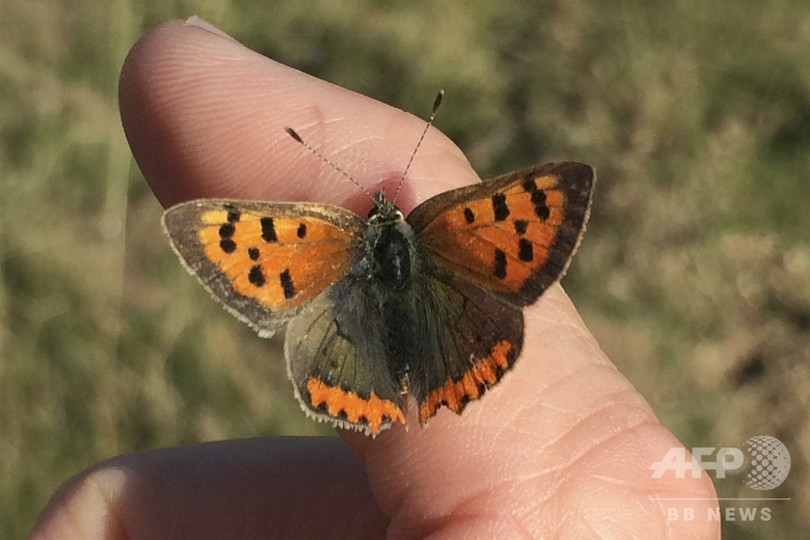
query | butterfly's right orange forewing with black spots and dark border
(513,235)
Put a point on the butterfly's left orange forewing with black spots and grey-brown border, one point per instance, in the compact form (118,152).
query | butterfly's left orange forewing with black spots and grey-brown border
(264,261)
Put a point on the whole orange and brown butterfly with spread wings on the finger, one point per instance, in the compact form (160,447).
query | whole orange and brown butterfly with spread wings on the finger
(429,305)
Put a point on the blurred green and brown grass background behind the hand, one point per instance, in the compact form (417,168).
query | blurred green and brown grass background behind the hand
(694,274)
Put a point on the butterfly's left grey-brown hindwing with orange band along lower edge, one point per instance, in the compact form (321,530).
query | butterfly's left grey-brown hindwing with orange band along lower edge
(336,353)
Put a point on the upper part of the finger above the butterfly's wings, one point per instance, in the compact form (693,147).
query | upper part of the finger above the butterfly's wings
(206,117)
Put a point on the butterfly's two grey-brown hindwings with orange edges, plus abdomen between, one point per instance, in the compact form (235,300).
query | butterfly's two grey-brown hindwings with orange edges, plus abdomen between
(354,349)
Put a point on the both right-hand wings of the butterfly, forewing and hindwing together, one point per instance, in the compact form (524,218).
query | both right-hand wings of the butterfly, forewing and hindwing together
(497,246)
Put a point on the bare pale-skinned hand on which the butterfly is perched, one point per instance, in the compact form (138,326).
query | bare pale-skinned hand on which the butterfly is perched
(560,448)
